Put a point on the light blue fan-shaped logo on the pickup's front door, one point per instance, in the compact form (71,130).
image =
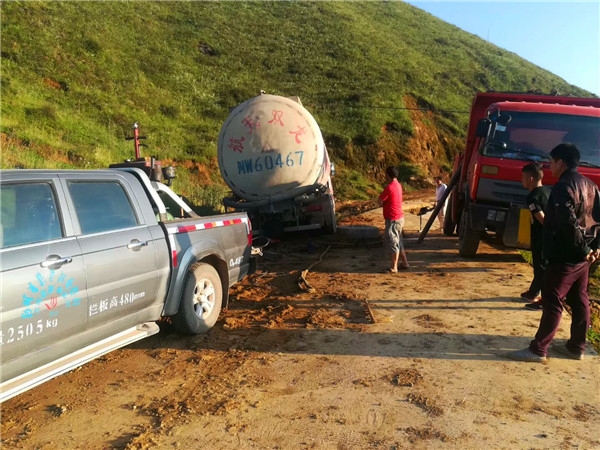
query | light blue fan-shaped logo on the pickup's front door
(44,292)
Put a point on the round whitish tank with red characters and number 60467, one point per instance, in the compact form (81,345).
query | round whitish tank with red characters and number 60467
(271,147)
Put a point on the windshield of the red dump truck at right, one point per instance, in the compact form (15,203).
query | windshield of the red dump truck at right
(531,136)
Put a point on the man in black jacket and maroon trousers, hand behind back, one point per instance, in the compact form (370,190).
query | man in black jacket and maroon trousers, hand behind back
(570,244)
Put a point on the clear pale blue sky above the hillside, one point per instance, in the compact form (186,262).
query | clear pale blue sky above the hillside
(561,37)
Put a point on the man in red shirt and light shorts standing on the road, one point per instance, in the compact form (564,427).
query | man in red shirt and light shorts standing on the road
(391,200)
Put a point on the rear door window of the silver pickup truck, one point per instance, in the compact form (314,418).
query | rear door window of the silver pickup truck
(102,206)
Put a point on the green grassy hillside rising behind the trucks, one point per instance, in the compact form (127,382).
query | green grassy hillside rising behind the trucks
(387,83)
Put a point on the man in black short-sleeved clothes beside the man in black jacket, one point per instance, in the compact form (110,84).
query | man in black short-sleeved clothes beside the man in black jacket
(537,199)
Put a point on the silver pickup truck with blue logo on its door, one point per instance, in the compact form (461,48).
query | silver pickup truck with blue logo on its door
(91,259)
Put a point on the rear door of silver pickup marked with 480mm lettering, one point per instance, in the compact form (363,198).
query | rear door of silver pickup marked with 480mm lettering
(120,254)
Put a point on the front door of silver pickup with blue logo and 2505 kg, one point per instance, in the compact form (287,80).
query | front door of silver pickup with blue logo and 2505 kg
(43,277)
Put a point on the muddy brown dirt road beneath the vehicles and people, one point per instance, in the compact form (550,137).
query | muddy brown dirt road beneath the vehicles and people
(351,359)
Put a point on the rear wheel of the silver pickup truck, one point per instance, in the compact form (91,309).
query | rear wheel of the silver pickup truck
(201,300)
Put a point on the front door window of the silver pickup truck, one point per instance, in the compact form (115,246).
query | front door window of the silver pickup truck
(28,214)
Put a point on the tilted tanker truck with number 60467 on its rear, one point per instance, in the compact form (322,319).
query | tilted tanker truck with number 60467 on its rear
(273,158)
